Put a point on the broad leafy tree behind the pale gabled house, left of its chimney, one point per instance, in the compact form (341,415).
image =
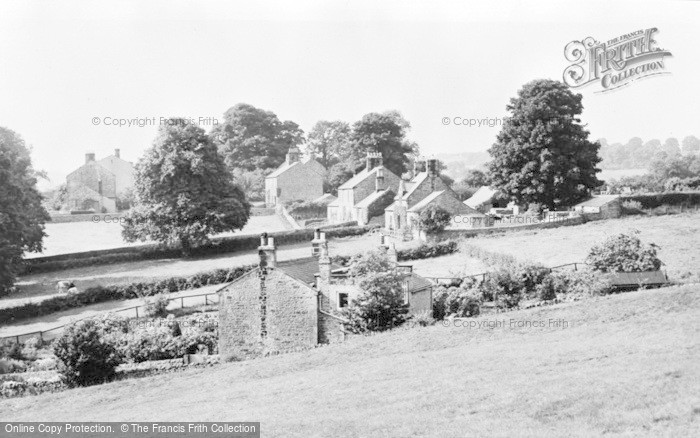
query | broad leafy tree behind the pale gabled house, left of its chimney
(251,138)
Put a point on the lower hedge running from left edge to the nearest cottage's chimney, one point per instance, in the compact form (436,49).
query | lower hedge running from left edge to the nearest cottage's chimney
(100,294)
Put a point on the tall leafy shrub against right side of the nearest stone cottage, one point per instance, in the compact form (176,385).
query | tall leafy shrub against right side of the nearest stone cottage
(380,306)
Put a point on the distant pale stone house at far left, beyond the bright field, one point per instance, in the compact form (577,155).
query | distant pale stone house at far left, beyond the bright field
(96,184)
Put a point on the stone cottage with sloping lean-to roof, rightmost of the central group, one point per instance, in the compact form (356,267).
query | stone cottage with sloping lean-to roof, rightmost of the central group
(424,189)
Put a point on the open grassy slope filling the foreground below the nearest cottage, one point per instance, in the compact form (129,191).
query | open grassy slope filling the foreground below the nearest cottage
(626,364)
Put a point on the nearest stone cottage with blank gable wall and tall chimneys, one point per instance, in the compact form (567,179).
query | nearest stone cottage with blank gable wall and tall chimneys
(294,305)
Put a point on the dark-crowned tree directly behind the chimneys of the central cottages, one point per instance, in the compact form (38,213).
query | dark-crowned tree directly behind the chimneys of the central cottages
(384,133)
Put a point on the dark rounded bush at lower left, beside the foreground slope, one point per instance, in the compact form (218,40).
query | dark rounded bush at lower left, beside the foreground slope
(88,358)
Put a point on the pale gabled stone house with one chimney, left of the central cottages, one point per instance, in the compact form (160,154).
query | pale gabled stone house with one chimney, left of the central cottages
(294,180)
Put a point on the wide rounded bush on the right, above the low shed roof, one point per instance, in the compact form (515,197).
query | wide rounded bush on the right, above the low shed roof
(623,253)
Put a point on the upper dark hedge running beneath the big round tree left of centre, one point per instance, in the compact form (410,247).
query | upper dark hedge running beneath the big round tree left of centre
(219,245)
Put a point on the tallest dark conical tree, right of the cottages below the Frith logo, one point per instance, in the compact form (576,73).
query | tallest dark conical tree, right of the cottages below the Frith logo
(542,154)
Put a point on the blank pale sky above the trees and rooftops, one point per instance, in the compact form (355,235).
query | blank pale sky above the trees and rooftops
(69,70)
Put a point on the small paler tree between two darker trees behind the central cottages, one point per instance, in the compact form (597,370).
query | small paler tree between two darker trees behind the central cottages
(330,142)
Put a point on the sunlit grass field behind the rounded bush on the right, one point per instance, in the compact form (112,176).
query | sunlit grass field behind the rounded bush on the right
(678,237)
